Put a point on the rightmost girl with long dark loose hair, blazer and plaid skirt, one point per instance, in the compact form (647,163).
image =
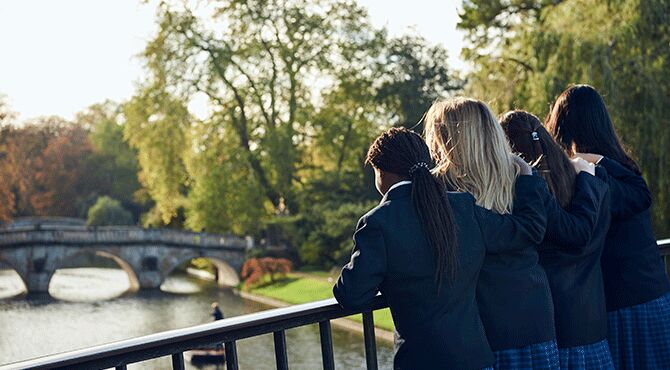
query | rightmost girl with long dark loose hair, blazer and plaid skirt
(636,285)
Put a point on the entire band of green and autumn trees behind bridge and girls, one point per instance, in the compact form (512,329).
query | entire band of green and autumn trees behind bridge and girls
(254,116)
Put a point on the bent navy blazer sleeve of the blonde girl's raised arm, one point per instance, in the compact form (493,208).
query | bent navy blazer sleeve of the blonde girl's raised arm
(525,226)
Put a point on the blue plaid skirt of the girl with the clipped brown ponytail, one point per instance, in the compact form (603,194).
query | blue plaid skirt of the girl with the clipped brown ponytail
(594,356)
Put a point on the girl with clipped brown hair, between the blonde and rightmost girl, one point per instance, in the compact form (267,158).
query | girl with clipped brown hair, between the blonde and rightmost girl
(577,222)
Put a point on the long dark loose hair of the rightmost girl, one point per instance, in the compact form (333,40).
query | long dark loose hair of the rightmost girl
(579,116)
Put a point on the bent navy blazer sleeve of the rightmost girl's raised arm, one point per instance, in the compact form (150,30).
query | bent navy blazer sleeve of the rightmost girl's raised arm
(628,190)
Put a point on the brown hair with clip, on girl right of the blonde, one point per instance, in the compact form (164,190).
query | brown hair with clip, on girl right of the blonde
(530,139)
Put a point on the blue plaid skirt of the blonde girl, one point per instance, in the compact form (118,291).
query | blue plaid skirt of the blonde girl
(538,356)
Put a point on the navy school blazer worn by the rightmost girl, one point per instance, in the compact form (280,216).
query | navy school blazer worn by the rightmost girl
(633,270)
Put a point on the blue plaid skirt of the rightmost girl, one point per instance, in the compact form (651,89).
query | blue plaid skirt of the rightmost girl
(639,336)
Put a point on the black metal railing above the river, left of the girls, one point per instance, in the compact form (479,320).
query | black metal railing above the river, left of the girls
(175,342)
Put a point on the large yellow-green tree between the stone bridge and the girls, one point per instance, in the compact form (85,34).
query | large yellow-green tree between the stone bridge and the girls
(296,89)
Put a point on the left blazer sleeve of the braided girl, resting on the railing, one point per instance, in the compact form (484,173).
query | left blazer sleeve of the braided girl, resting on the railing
(360,278)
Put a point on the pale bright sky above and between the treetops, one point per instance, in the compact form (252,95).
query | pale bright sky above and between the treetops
(58,57)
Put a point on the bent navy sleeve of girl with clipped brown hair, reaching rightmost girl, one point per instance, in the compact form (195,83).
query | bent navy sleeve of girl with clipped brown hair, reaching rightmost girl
(574,227)
